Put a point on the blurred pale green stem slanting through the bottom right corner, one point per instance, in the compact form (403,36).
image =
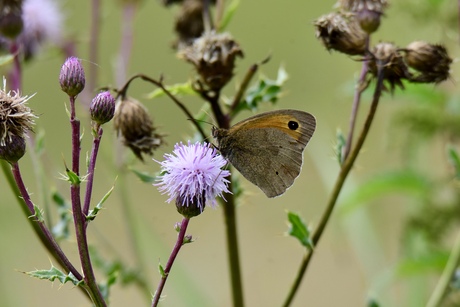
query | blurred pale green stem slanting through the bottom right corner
(444,282)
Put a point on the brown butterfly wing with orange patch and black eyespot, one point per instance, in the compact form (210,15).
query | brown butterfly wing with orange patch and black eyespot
(267,148)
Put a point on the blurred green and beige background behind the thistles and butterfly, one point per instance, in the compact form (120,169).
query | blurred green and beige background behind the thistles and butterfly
(357,256)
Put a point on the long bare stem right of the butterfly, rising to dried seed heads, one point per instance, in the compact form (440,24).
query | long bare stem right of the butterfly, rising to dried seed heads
(344,171)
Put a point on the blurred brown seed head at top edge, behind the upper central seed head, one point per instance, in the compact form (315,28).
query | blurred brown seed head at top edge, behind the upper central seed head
(189,22)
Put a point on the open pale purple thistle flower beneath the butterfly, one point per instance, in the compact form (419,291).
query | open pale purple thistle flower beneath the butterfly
(193,176)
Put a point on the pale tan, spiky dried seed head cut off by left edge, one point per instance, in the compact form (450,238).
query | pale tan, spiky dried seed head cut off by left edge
(16,118)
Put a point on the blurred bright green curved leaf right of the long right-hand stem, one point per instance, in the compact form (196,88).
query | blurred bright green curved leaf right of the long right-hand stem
(405,181)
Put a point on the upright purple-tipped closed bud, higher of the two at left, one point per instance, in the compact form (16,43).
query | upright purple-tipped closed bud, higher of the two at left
(72,77)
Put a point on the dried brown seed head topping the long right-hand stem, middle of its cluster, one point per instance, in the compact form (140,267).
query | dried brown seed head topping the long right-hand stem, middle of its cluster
(387,57)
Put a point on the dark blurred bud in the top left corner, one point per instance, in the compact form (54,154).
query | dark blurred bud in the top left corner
(11,22)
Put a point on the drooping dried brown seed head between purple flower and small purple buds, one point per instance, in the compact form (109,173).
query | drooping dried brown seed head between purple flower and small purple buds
(133,123)
